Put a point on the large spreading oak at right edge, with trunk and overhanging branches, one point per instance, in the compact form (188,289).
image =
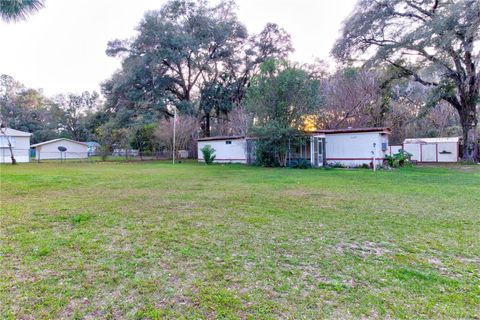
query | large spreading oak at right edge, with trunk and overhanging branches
(433,42)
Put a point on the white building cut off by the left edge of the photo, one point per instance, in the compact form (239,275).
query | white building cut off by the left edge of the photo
(20,142)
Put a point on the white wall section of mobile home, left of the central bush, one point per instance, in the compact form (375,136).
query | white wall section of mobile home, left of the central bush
(236,152)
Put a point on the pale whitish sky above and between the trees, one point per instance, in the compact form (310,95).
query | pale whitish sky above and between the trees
(62,47)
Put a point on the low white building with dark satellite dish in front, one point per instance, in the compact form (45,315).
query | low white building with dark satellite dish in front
(50,149)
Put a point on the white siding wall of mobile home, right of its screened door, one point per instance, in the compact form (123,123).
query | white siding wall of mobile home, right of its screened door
(354,149)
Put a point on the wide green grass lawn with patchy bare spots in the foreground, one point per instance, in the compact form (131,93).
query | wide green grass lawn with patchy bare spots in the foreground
(152,240)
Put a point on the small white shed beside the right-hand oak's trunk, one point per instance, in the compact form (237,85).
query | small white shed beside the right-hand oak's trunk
(433,149)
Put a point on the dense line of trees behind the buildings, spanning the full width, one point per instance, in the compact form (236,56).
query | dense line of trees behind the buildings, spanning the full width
(409,65)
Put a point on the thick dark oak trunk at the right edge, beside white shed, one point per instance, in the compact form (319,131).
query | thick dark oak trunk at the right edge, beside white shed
(469,122)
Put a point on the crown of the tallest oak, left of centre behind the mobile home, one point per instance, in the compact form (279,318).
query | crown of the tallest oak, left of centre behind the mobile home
(177,48)
